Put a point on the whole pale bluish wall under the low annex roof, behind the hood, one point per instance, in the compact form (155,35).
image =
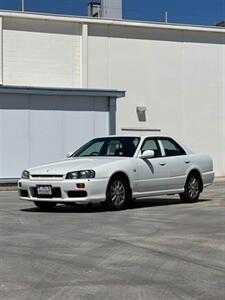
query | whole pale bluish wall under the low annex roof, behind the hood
(36,129)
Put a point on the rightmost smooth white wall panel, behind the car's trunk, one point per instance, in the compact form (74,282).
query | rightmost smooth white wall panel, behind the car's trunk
(203,95)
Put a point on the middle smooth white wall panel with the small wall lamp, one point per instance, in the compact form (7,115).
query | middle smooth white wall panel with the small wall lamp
(151,69)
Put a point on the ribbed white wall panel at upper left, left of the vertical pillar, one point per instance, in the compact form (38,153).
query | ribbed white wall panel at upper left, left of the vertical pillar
(41,53)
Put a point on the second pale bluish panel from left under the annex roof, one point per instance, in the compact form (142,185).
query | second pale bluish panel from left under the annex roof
(45,130)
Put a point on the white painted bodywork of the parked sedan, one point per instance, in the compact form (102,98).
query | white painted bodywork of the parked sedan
(147,177)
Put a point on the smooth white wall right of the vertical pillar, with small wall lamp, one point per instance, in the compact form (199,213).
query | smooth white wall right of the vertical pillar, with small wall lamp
(177,75)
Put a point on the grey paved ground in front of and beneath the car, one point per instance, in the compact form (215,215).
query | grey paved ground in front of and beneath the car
(158,249)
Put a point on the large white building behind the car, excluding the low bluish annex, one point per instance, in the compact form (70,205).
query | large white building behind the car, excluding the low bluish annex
(174,76)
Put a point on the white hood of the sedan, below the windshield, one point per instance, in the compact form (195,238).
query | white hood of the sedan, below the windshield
(73,164)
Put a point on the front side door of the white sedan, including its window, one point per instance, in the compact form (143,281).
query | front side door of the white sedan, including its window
(153,173)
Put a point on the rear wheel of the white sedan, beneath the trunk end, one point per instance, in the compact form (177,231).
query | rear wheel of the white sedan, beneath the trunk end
(191,189)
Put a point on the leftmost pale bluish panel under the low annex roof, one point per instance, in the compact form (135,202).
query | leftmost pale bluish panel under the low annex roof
(14,135)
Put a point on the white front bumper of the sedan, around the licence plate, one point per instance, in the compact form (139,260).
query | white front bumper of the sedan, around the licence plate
(65,191)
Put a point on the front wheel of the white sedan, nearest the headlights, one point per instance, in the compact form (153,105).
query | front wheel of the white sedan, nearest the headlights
(117,195)
